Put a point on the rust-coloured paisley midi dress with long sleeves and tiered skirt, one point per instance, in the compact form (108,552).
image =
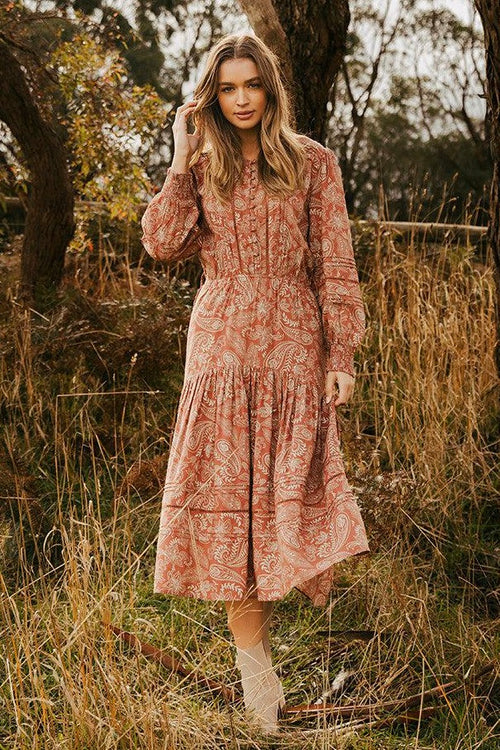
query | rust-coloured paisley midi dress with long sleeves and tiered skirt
(256,496)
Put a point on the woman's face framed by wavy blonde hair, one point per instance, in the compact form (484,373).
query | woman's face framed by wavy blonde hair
(240,91)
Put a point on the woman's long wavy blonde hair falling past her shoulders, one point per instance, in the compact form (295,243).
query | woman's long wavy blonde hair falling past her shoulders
(282,154)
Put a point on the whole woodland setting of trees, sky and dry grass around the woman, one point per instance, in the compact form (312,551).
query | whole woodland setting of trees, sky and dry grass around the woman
(92,336)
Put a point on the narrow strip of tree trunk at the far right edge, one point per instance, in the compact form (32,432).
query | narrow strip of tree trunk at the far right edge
(489,10)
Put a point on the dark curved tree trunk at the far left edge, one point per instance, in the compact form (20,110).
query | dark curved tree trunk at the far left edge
(49,219)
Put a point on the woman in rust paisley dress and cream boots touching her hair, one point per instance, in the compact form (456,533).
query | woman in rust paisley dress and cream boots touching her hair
(256,500)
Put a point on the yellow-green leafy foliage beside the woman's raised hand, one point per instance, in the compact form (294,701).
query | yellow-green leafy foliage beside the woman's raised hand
(109,122)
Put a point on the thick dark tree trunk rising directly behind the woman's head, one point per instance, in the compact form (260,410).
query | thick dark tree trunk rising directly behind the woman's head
(309,37)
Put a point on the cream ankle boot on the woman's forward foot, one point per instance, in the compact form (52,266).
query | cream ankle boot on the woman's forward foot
(262,689)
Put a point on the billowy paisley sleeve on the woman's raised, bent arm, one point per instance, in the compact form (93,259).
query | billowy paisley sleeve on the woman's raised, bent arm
(171,223)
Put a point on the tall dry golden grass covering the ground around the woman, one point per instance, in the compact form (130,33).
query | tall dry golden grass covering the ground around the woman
(88,392)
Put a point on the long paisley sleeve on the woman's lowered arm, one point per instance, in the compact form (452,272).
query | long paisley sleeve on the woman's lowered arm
(334,276)
